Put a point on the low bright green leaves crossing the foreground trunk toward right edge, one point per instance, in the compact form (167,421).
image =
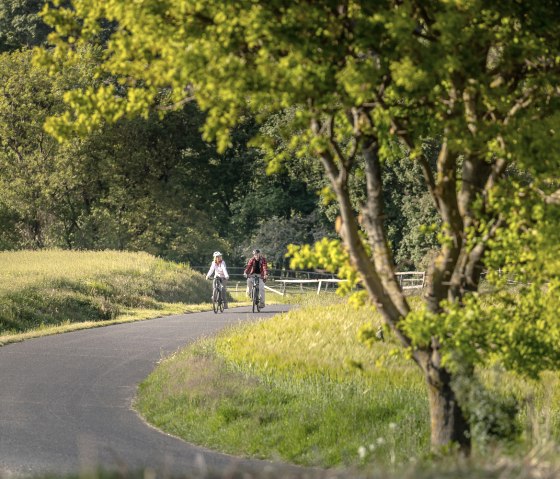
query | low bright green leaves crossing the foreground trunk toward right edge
(517,328)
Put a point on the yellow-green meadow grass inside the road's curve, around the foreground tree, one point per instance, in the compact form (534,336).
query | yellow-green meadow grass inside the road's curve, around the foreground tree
(301,388)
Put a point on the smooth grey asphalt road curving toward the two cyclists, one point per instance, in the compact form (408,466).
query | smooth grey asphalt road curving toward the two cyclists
(65,400)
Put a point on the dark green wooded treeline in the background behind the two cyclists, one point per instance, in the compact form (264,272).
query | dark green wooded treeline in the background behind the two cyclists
(154,184)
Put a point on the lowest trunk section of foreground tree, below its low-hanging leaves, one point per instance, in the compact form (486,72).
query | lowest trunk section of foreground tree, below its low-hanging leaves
(448,423)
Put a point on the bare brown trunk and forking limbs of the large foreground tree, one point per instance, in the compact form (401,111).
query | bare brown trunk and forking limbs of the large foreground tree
(448,424)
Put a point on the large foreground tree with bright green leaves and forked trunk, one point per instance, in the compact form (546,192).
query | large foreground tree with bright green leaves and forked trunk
(481,79)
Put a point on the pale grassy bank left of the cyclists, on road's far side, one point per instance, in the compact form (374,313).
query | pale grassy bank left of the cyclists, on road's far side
(44,292)
